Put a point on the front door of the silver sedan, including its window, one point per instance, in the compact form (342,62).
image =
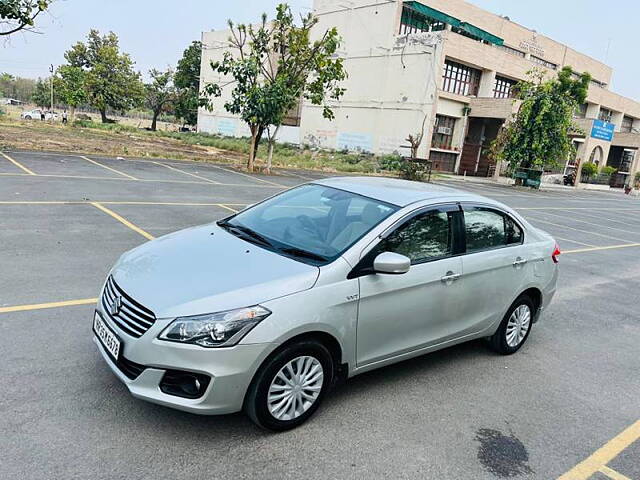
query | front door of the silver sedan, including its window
(401,313)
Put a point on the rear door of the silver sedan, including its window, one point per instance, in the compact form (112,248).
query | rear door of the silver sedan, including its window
(495,265)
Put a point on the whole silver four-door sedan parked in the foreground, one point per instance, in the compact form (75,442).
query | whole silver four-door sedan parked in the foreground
(265,309)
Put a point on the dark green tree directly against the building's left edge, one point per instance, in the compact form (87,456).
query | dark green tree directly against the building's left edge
(187,82)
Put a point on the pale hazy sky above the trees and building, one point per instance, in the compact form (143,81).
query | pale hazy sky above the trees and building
(155,32)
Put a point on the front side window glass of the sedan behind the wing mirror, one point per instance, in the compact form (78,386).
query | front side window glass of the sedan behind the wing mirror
(428,236)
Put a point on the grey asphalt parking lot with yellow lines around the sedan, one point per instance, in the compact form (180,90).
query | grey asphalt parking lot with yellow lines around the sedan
(566,404)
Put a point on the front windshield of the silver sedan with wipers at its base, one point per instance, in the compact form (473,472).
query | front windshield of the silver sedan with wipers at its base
(312,223)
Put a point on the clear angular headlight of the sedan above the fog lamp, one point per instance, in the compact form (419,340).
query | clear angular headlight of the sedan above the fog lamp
(221,329)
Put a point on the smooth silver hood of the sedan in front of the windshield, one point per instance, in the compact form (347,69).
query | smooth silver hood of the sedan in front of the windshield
(206,269)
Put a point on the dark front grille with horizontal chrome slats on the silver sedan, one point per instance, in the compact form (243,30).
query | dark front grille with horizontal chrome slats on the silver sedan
(131,317)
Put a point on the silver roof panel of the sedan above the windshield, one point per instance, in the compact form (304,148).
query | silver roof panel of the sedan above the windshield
(398,192)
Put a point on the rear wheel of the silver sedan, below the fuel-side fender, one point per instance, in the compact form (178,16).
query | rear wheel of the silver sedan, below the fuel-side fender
(515,327)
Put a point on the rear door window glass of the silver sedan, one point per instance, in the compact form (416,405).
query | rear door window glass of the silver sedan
(484,229)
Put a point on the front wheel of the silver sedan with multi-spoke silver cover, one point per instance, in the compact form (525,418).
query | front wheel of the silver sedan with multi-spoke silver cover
(289,387)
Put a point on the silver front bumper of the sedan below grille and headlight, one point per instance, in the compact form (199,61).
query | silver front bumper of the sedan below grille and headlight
(231,370)
